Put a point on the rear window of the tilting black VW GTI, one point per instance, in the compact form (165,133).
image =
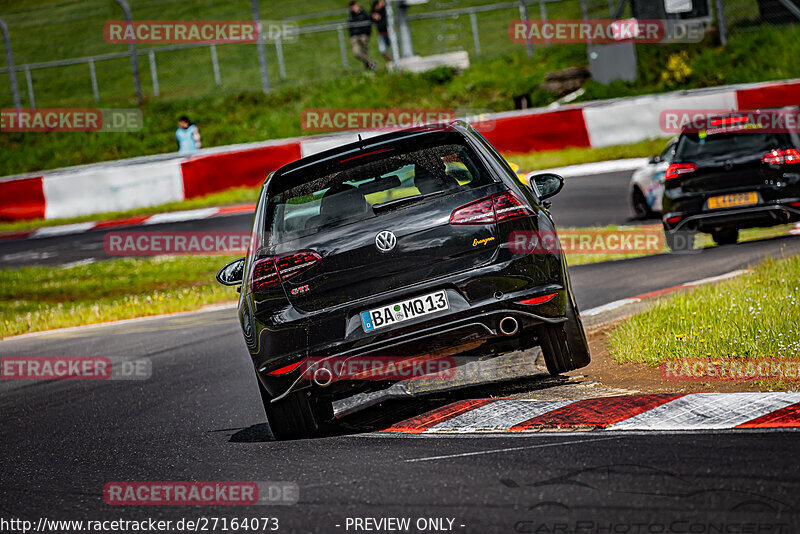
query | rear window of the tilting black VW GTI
(364,186)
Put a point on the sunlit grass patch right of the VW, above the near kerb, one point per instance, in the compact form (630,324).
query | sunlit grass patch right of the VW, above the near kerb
(756,315)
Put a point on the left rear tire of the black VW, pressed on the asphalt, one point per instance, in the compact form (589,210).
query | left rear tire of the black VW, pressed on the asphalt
(297,416)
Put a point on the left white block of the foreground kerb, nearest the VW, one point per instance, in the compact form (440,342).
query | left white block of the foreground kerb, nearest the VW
(499,415)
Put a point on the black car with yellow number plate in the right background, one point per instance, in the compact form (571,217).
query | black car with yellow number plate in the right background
(738,171)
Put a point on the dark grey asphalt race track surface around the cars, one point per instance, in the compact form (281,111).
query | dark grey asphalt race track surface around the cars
(198,417)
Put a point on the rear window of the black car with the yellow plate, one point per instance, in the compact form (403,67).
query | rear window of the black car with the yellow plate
(702,144)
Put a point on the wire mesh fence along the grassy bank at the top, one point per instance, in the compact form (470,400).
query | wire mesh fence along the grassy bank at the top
(62,59)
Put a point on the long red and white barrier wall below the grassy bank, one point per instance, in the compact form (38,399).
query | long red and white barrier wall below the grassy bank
(150,181)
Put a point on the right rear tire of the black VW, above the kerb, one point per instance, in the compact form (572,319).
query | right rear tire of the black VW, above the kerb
(564,345)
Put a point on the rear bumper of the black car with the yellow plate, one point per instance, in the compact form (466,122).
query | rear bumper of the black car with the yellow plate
(767,214)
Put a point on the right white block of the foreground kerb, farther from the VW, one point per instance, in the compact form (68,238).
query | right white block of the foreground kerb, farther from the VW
(708,411)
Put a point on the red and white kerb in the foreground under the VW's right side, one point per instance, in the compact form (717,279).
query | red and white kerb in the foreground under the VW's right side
(667,412)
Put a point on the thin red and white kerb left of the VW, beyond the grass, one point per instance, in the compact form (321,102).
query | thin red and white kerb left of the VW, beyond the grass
(143,220)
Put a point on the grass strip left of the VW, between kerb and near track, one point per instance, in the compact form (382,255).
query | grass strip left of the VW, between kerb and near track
(42,298)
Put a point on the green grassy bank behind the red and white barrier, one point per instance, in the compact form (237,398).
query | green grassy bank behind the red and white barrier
(239,112)
